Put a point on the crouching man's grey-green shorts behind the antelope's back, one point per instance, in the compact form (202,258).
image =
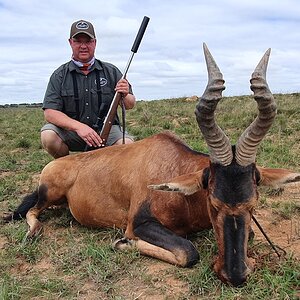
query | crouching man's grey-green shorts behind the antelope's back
(76,143)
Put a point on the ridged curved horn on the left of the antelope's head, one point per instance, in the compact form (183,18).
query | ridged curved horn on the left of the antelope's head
(218,143)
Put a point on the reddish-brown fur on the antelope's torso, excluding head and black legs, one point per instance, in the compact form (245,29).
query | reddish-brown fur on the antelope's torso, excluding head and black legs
(104,188)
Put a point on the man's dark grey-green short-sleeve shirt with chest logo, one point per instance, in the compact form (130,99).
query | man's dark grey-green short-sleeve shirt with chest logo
(60,93)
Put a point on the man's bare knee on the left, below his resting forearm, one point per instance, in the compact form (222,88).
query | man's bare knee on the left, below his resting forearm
(53,144)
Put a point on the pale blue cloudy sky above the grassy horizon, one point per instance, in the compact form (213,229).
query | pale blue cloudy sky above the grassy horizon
(170,61)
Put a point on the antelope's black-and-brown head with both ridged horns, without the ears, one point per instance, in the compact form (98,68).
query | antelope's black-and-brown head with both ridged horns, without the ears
(232,174)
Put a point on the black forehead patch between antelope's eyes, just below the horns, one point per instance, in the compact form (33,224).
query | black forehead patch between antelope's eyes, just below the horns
(233,183)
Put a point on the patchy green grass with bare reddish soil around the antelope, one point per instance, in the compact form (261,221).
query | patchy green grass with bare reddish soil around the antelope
(72,262)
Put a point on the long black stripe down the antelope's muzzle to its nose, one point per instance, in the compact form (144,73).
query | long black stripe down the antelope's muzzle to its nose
(234,239)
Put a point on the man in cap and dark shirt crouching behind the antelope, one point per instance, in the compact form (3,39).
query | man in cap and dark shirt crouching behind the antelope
(75,93)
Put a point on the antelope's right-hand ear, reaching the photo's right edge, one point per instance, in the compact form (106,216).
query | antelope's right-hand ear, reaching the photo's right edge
(277,177)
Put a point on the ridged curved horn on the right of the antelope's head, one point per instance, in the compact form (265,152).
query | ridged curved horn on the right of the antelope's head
(248,142)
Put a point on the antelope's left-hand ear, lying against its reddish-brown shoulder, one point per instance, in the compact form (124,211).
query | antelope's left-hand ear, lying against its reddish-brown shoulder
(187,184)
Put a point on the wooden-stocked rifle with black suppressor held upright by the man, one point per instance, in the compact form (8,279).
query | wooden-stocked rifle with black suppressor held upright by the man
(104,123)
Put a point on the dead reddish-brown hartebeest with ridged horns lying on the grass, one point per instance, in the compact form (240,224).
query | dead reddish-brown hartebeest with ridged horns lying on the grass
(110,187)
